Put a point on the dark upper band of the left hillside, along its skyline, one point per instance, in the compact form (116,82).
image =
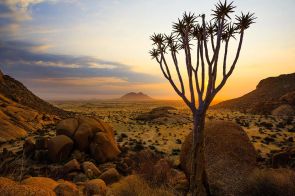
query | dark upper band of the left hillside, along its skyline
(17,92)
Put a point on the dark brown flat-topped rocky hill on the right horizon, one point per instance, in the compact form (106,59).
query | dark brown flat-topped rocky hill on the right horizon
(274,95)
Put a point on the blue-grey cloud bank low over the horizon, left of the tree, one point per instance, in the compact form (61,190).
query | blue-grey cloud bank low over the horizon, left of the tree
(79,76)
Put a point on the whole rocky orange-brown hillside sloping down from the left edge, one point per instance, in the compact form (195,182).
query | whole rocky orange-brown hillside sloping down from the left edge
(22,112)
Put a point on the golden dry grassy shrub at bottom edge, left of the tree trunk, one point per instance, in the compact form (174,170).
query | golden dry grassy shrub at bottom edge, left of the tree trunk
(134,185)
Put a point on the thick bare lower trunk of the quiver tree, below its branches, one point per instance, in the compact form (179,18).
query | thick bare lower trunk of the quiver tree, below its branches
(198,178)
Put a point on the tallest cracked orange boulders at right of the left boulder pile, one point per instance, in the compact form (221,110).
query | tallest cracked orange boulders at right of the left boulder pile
(91,135)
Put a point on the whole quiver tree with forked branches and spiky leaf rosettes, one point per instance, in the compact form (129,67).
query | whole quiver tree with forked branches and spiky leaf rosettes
(209,42)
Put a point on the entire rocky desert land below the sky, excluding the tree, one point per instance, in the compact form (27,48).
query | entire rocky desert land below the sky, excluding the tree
(135,146)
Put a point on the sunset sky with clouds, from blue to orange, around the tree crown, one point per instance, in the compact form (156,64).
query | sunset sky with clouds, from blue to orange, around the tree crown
(85,49)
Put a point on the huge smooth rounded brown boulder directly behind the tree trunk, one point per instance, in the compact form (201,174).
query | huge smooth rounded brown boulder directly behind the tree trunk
(230,157)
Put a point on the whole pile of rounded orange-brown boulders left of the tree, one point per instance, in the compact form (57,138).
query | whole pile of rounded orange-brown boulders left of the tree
(75,136)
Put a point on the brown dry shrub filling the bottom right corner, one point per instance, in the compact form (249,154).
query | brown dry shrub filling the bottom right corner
(271,182)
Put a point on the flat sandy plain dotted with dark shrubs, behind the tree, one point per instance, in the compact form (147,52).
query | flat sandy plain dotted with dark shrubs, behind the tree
(267,133)
